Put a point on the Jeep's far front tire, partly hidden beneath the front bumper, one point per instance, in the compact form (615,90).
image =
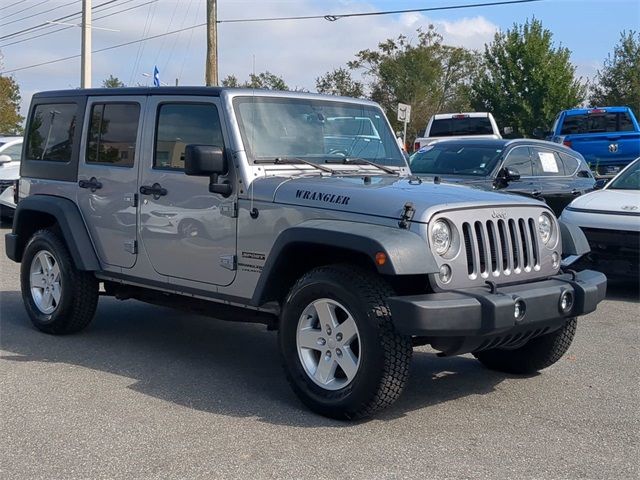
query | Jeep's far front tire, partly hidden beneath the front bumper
(535,355)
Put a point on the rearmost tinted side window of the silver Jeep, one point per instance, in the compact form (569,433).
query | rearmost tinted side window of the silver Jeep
(50,133)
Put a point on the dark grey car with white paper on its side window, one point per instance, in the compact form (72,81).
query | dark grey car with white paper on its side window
(543,170)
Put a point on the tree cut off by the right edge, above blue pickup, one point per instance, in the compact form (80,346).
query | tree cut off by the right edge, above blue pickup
(618,83)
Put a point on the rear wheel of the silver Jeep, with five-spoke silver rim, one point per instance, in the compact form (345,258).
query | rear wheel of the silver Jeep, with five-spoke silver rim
(59,298)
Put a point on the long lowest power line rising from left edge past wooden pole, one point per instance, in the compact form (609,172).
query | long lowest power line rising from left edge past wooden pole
(332,18)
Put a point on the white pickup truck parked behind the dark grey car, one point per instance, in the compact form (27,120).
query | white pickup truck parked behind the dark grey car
(458,125)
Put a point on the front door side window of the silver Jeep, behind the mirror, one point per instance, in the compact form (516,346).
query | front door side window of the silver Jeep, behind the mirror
(181,124)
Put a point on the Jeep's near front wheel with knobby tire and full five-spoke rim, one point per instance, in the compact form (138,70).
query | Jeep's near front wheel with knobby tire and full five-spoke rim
(340,350)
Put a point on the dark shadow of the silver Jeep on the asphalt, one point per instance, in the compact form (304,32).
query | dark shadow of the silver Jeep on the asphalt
(213,366)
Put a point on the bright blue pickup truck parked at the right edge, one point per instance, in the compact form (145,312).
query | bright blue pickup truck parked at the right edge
(608,137)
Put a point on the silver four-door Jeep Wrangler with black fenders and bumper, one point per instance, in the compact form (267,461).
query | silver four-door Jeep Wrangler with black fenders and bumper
(295,210)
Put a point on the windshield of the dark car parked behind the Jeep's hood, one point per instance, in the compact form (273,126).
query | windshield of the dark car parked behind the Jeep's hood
(452,158)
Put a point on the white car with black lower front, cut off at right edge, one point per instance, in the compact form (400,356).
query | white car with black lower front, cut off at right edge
(610,219)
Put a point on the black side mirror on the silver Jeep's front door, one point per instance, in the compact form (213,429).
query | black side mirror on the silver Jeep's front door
(203,160)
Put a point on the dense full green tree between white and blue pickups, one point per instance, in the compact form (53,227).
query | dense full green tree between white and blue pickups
(525,81)
